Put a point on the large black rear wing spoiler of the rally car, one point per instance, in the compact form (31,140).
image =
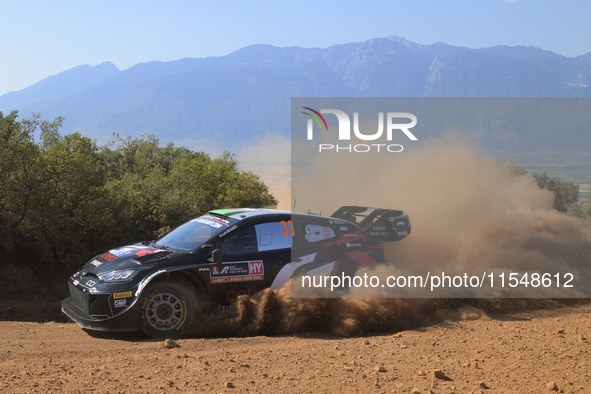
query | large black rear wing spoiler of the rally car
(378,225)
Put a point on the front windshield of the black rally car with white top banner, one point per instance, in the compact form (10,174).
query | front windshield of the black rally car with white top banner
(193,234)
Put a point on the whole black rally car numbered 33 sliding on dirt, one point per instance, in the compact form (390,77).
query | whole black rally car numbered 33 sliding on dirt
(202,266)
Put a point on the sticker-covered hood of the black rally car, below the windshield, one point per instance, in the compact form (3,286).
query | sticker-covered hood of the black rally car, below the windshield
(131,256)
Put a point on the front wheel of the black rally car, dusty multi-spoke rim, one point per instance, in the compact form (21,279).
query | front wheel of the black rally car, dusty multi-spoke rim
(169,309)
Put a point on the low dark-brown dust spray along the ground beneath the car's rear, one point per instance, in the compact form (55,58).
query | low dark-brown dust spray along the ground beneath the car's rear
(275,312)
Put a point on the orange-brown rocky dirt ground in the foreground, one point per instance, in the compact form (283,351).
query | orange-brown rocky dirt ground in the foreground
(526,352)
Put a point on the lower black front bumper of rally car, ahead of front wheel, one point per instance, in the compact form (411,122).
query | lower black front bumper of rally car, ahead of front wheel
(126,321)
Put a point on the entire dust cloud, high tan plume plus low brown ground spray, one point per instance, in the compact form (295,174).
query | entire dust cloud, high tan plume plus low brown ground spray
(468,215)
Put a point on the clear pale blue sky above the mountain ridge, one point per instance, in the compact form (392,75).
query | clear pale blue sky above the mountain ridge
(44,38)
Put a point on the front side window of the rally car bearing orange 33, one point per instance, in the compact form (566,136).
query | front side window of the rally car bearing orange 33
(259,238)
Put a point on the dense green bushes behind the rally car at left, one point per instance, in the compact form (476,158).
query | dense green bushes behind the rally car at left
(64,199)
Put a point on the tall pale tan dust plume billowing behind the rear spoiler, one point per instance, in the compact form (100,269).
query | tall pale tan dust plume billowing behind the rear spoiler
(469,215)
